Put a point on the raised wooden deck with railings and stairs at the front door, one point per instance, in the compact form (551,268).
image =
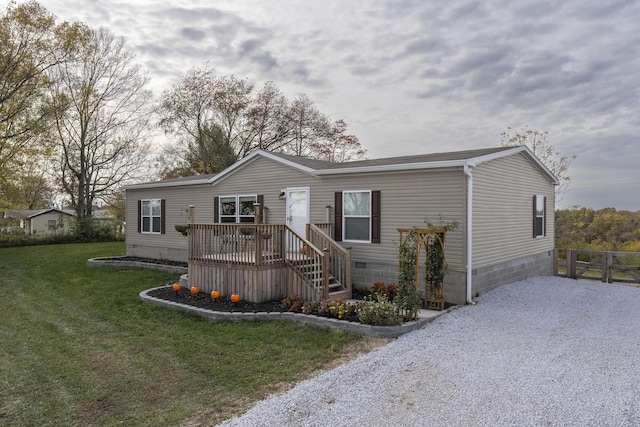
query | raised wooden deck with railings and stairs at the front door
(264,262)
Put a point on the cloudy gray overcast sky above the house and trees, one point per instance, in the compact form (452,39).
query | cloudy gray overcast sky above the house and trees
(415,76)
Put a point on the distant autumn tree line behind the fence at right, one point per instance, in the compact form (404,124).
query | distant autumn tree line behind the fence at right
(601,230)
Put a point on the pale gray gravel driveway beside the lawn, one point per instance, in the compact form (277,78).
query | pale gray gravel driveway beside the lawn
(544,352)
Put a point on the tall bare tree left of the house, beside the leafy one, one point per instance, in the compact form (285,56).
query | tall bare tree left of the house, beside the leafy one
(100,117)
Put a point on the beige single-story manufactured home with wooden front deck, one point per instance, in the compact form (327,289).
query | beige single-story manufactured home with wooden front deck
(271,206)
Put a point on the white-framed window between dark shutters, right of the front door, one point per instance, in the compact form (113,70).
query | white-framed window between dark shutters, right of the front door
(357,216)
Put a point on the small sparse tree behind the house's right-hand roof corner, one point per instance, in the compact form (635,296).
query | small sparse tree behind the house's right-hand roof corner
(545,151)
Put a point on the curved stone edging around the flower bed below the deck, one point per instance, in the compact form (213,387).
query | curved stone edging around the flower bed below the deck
(356,328)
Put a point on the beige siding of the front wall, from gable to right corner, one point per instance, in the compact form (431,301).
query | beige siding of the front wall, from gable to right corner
(407,198)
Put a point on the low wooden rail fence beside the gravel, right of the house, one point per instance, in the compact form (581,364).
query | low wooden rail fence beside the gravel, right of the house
(608,266)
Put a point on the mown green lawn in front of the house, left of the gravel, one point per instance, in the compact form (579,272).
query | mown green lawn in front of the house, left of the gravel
(77,347)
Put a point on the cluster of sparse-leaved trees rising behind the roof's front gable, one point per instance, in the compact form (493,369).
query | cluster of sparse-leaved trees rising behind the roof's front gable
(220,120)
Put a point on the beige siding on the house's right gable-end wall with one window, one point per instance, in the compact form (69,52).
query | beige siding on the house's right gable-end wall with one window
(503,191)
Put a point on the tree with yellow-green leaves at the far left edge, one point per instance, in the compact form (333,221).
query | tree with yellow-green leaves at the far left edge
(30,45)
